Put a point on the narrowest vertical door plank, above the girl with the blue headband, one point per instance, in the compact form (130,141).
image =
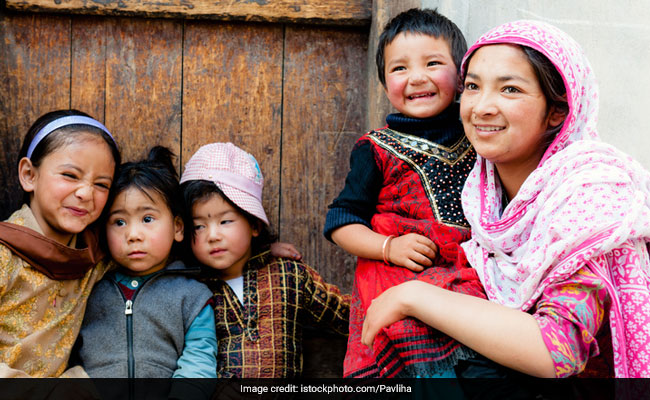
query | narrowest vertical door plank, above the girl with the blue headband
(88,83)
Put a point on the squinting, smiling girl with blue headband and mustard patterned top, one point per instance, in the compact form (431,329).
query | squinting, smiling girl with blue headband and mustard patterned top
(48,259)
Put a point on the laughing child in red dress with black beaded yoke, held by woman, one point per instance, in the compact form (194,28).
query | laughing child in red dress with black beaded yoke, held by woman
(400,210)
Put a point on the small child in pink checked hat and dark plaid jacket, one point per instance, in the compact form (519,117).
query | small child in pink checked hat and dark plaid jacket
(260,301)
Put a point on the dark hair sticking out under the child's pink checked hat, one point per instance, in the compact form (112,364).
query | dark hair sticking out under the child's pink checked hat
(199,190)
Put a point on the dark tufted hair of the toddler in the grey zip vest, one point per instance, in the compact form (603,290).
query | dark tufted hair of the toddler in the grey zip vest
(156,174)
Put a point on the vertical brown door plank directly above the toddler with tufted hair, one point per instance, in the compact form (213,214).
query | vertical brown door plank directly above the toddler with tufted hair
(143,84)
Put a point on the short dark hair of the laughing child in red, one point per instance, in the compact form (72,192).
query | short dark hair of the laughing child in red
(425,22)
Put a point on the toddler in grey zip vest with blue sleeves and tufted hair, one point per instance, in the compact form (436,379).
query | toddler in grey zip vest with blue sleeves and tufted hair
(148,318)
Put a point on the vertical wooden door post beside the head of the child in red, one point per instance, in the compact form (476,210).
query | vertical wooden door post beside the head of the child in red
(378,104)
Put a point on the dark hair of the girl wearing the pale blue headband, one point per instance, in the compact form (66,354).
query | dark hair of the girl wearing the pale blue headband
(61,137)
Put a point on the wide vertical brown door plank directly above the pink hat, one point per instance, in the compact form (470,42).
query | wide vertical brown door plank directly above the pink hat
(232,92)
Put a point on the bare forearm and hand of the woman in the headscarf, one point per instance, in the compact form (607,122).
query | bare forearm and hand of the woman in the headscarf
(509,337)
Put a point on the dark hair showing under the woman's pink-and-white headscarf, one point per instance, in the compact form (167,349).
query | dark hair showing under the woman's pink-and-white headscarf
(552,86)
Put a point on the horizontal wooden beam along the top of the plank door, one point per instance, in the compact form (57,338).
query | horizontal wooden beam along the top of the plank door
(337,12)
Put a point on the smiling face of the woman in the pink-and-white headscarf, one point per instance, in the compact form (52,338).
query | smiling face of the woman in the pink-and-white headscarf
(503,108)
